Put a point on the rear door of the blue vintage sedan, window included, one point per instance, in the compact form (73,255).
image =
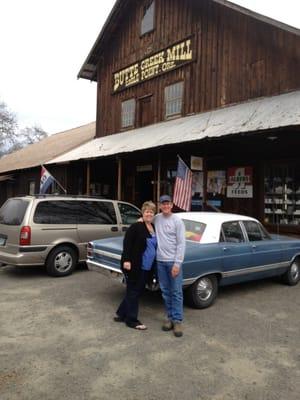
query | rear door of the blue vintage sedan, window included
(236,250)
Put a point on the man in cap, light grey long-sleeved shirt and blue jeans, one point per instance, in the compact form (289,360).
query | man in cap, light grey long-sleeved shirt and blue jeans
(170,233)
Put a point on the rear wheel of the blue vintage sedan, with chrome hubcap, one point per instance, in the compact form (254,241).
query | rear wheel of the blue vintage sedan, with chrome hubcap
(203,292)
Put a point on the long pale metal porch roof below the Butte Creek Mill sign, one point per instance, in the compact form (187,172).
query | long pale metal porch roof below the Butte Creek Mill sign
(252,116)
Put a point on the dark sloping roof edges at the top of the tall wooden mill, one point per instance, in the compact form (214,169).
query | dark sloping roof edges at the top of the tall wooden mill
(89,67)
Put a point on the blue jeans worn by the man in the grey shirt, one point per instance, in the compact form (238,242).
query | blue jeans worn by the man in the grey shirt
(171,290)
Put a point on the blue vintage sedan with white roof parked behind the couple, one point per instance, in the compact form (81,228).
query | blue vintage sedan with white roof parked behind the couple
(221,249)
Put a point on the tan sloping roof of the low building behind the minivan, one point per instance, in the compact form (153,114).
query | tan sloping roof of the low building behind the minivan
(48,148)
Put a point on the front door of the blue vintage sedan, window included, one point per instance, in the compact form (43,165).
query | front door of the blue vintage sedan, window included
(266,253)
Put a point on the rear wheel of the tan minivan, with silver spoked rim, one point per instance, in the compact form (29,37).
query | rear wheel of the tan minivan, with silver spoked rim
(61,261)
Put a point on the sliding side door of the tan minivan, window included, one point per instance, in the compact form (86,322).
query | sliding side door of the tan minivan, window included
(96,220)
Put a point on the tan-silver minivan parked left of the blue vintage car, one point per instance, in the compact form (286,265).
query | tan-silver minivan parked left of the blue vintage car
(54,230)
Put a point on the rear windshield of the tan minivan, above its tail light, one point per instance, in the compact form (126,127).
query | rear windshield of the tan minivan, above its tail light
(12,212)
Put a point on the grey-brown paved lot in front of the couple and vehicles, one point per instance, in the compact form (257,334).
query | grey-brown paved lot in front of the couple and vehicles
(58,341)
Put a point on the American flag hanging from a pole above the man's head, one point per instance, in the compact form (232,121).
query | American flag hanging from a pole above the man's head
(182,197)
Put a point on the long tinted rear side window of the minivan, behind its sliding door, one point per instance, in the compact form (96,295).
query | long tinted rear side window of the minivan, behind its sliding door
(56,212)
